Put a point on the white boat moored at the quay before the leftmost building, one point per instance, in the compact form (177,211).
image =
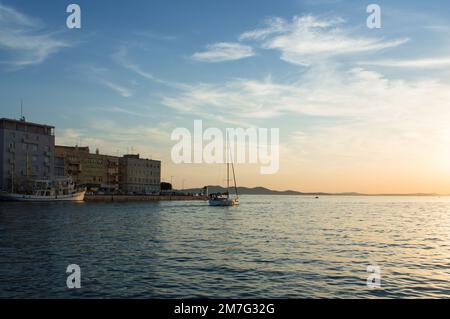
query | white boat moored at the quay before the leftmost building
(59,189)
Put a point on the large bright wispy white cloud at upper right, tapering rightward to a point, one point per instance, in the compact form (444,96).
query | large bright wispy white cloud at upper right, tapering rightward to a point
(307,39)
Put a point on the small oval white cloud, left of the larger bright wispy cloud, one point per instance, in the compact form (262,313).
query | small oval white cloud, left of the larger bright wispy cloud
(224,51)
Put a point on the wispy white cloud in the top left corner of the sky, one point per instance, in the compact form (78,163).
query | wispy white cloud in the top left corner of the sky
(22,38)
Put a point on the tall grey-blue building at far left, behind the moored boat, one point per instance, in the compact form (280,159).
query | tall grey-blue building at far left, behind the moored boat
(27,153)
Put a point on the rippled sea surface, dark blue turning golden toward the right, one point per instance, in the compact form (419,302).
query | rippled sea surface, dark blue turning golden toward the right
(269,246)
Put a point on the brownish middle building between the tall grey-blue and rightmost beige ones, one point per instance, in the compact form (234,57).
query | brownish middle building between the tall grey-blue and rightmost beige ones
(95,171)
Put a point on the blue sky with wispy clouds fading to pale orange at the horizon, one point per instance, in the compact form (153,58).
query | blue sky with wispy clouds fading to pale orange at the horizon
(358,109)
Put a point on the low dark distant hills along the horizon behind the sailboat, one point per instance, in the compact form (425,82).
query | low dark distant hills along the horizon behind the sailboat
(266,191)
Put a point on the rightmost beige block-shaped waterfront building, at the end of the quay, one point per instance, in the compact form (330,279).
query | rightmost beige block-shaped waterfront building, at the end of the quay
(139,176)
